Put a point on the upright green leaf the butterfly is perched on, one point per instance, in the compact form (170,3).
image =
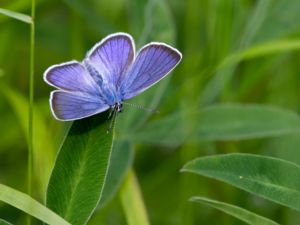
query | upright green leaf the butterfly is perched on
(79,174)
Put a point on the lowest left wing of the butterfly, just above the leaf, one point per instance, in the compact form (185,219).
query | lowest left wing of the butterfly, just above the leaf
(75,105)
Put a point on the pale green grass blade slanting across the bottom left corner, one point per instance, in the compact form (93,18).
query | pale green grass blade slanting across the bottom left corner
(29,205)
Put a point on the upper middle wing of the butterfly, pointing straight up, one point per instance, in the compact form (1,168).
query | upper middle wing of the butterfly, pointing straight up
(111,58)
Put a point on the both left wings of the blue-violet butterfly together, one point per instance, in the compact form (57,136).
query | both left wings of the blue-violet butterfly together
(79,95)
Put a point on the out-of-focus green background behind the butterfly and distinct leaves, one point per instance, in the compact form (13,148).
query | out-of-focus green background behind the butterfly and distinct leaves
(209,33)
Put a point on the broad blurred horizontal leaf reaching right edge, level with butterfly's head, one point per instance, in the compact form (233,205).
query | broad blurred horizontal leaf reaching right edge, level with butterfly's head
(220,122)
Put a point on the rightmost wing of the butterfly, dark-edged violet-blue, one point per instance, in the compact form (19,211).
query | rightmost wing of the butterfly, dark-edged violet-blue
(153,62)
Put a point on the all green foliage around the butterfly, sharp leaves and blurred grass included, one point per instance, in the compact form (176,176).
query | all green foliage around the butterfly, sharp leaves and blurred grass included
(228,112)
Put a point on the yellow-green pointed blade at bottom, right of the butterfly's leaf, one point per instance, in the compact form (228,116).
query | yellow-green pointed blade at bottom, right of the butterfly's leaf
(132,201)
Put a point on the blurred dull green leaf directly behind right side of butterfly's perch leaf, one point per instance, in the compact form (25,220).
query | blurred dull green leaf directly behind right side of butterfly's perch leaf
(121,160)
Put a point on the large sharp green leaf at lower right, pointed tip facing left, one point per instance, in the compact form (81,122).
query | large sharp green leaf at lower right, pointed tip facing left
(271,178)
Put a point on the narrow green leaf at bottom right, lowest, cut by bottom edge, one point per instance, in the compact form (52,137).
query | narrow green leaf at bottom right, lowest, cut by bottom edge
(235,211)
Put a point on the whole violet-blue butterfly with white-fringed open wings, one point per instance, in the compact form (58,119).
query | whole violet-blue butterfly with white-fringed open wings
(110,74)
